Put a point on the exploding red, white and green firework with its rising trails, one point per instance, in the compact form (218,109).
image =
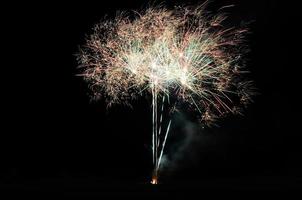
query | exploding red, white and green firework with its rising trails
(182,57)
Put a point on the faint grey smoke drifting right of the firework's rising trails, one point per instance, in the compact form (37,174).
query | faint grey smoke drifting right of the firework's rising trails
(188,142)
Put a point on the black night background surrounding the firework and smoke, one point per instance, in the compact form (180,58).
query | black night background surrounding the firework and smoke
(56,140)
